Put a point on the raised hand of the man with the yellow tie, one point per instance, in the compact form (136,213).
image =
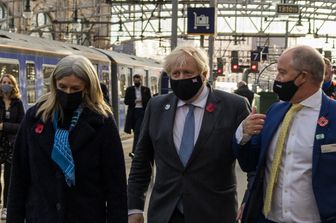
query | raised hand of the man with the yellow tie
(253,124)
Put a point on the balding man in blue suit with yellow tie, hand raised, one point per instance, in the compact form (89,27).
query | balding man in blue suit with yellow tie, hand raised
(292,147)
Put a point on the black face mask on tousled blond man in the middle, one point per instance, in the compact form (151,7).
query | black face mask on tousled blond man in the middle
(185,89)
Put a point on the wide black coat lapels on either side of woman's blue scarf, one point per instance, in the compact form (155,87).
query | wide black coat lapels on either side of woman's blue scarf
(80,136)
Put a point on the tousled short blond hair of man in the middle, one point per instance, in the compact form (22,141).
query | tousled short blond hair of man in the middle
(178,57)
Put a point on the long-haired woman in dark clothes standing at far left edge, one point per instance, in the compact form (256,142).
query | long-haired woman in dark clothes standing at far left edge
(11,115)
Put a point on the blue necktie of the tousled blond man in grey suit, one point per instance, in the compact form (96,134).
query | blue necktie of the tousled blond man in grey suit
(188,136)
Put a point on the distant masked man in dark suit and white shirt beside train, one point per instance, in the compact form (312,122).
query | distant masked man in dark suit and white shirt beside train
(136,97)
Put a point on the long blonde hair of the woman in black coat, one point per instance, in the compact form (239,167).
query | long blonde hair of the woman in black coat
(82,68)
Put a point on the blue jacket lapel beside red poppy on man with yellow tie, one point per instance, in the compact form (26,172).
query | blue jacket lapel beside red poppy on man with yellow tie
(320,131)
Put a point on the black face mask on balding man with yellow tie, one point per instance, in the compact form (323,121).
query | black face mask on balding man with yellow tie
(285,90)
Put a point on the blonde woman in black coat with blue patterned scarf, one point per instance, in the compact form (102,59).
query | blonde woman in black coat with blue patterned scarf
(68,164)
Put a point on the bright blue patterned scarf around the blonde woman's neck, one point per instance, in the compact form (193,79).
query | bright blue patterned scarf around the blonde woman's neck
(61,152)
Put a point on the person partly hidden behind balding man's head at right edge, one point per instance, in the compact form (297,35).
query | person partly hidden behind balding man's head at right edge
(329,85)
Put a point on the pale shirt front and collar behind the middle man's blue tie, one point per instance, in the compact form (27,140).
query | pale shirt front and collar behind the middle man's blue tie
(181,114)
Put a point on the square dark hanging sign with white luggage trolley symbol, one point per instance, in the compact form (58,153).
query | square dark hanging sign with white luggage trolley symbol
(201,21)
